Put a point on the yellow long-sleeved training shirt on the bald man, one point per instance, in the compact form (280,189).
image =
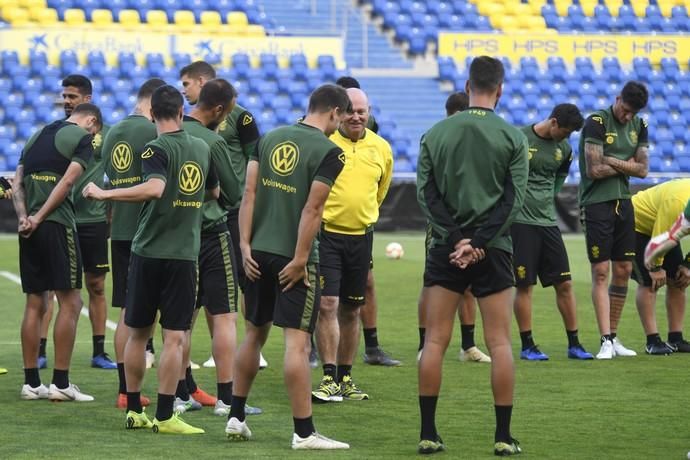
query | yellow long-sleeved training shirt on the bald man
(359,190)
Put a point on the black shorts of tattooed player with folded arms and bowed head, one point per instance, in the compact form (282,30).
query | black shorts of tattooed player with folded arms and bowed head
(609,230)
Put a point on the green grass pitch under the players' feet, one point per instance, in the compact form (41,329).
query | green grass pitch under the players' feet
(628,408)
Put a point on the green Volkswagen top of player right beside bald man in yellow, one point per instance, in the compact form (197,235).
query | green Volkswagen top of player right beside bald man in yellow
(290,159)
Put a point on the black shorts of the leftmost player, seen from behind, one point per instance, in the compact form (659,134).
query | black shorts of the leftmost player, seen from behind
(49,260)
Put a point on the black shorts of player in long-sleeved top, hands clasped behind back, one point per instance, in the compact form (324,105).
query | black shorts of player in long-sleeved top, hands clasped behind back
(493,274)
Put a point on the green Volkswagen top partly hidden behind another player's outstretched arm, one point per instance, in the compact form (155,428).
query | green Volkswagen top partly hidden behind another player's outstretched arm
(122,149)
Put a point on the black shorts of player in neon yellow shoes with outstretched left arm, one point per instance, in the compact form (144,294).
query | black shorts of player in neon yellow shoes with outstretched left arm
(160,284)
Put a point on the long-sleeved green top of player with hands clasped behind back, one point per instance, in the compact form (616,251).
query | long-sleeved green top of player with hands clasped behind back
(471,178)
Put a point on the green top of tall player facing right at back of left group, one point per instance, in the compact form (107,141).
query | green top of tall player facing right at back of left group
(241,134)
